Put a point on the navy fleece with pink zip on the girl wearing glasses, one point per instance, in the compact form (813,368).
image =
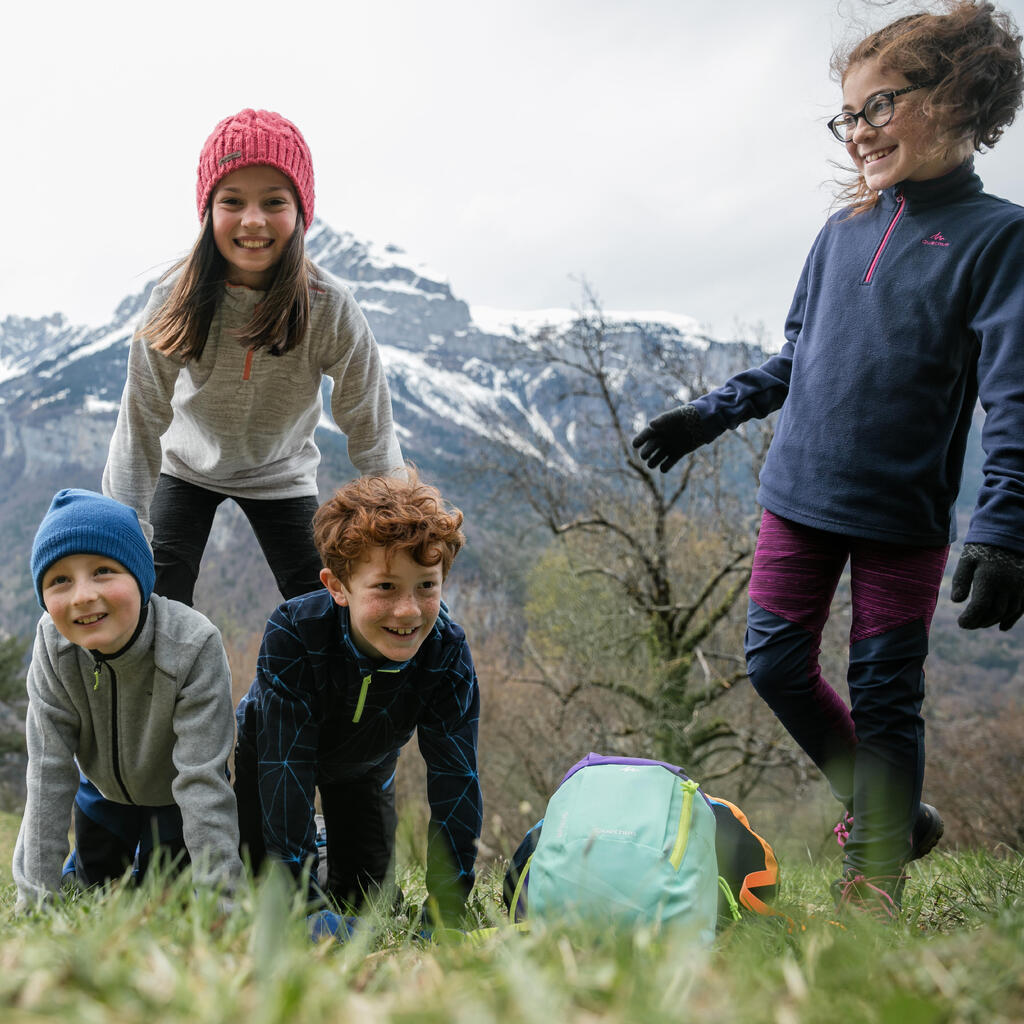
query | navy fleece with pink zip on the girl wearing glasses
(903,318)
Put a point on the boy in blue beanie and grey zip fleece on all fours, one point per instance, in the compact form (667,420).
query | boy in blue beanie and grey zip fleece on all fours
(130,716)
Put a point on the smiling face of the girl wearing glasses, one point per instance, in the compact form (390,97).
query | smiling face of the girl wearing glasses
(906,149)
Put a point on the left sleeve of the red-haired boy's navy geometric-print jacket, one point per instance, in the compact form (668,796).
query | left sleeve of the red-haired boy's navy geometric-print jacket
(287,744)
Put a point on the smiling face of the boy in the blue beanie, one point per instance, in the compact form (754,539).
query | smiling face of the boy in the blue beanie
(95,602)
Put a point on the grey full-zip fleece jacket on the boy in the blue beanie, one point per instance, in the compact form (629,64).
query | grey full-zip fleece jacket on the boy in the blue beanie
(153,724)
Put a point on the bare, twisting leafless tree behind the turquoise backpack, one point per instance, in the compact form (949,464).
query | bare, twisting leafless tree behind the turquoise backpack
(664,560)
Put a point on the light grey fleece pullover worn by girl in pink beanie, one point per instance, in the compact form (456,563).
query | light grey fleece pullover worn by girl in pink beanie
(241,422)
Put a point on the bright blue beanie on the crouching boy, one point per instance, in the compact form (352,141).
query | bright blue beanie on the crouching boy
(82,523)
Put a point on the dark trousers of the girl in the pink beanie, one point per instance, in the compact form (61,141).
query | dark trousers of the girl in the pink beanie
(183,516)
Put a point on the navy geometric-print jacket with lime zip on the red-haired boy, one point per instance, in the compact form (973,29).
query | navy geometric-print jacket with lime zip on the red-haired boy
(320,710)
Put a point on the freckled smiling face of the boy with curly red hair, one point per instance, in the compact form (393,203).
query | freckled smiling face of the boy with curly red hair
(392,608)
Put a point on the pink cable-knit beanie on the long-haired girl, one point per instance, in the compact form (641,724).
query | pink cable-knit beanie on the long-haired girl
(257,138)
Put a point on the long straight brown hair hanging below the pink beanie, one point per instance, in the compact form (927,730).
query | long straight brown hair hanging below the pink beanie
(182,325)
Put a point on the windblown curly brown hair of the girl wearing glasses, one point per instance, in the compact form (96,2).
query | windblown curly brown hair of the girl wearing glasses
(969,58)
